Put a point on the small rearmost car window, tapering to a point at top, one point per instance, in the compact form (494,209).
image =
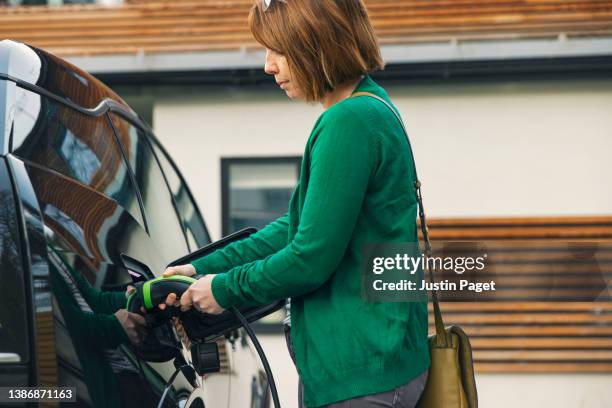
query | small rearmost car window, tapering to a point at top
(193,224)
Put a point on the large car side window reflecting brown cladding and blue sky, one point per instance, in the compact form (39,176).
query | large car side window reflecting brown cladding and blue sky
(78,146)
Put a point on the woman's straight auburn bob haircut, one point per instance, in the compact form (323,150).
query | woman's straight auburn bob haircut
(326,42)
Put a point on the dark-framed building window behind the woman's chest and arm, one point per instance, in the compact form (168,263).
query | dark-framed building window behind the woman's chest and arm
(256,191)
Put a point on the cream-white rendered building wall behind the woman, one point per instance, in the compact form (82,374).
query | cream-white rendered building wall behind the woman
(500,149)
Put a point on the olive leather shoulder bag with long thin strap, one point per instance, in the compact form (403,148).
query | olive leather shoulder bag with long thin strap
(451,382)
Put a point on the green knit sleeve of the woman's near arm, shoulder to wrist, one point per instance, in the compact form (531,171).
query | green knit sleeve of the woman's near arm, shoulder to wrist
(342,160)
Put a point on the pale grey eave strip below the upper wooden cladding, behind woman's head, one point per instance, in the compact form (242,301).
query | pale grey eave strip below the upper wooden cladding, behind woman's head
(450,51)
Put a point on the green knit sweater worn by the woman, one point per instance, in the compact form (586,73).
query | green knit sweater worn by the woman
(355,187)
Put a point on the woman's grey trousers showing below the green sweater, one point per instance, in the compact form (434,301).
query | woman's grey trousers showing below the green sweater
(404,396)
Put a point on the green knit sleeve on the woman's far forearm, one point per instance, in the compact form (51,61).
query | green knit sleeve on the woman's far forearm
(264,242)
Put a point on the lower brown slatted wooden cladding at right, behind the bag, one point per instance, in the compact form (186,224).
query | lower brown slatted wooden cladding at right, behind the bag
(526,331)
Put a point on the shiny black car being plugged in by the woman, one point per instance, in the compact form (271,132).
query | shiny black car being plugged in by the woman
(88,192)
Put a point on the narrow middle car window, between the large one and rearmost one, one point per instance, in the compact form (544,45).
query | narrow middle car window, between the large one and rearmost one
(160,214)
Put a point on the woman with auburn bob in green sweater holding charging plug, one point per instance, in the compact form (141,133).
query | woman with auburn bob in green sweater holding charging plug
(355,187)
